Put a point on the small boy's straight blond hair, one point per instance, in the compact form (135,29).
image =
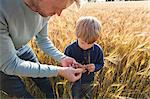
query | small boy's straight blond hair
(88,29)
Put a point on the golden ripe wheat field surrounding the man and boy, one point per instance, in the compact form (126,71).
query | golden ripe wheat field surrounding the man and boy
(125,39)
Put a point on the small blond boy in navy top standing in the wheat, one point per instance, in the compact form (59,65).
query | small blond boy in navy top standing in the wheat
(85,51)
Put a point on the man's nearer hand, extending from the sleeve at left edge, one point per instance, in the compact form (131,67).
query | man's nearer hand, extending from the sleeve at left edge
(70,73)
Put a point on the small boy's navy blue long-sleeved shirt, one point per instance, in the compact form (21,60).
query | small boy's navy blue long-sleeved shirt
(93,55)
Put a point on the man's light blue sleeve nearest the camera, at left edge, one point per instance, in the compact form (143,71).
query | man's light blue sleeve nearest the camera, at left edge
(11,64)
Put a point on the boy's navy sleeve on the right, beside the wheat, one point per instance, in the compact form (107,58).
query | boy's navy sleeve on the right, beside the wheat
(100,60)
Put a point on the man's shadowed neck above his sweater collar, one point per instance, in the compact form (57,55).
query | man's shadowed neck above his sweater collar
(31,4)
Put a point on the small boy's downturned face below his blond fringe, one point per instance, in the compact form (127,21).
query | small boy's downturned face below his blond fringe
(84,45)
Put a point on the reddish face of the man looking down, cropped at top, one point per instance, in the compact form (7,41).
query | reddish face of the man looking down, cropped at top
(51,7)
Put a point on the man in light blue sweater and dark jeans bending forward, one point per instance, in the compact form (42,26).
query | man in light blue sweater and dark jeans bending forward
(20,20)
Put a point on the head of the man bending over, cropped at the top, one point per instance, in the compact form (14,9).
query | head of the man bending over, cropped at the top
(49,7)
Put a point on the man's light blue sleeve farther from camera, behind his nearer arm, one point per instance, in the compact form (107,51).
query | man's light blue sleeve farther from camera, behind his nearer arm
(47,46)
